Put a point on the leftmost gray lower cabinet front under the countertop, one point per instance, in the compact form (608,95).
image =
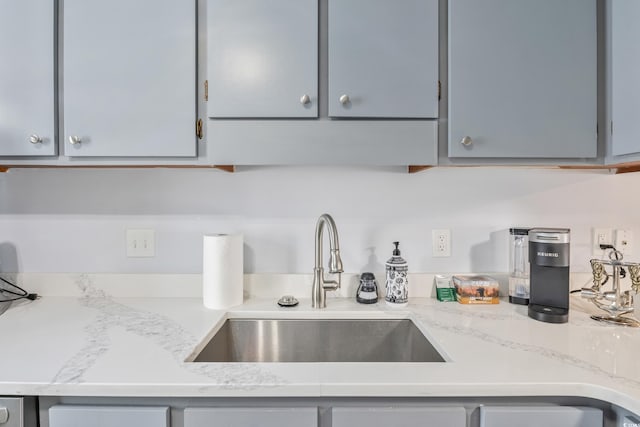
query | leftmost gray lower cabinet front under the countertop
(108,416)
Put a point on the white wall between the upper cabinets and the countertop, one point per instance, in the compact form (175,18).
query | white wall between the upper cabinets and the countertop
(63,220)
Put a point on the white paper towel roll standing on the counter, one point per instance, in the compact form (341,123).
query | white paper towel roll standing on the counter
(222,270)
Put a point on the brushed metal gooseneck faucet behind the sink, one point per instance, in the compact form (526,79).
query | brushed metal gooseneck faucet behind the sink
(320,285)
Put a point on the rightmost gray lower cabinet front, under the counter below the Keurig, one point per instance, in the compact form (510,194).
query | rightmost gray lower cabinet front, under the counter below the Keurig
(534,416)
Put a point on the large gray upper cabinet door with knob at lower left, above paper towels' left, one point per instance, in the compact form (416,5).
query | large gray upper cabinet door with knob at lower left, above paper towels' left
(129,72)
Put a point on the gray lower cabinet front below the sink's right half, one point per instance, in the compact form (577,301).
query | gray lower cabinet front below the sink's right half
(399,417)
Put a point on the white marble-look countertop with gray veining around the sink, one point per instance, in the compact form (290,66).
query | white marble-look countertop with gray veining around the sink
(98,345)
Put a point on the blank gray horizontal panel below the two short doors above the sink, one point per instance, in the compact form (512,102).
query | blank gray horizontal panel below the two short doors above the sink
(323,142)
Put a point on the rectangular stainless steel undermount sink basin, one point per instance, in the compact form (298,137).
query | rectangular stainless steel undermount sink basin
(318,340)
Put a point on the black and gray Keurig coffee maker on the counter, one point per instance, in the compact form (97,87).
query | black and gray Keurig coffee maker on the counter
(549,278)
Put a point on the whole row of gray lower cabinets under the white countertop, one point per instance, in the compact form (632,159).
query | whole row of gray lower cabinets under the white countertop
(323,412)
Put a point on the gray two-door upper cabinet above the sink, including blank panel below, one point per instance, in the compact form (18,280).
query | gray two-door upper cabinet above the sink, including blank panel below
(276,69)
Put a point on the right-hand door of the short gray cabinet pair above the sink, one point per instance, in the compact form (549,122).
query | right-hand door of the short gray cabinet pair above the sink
(383,58)
